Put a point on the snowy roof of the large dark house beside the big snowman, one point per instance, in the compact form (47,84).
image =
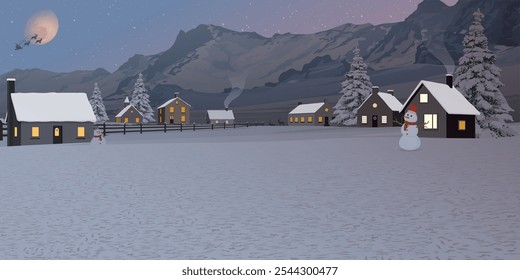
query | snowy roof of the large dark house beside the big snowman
(453,102)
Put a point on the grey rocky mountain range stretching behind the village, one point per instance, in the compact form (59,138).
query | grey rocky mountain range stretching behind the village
(207,61)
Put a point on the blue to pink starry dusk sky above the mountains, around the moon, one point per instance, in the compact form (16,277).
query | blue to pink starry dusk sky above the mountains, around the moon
(105,33)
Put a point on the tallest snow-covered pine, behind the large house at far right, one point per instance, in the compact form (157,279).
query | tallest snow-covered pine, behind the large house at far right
(478,79)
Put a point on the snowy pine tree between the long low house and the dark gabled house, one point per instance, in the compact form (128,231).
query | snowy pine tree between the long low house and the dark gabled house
(356,88)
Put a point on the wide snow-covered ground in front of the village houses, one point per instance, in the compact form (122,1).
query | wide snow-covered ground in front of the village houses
(262,193)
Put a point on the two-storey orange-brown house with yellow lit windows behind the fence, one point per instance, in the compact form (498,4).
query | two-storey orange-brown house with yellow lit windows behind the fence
(174,111)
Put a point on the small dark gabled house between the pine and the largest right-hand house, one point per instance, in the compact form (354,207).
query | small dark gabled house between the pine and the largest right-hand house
(380,109)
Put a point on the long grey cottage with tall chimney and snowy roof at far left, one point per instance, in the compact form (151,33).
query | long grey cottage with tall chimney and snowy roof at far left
(48,118)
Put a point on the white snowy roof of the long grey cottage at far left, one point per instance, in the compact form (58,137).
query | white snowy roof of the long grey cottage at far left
(52,107)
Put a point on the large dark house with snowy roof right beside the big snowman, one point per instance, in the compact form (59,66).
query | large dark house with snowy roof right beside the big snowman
(442,111)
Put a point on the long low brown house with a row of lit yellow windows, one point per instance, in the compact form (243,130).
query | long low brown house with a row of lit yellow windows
(317,114)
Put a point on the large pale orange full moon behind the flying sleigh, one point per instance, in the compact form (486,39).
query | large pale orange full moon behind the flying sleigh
(44,24)
